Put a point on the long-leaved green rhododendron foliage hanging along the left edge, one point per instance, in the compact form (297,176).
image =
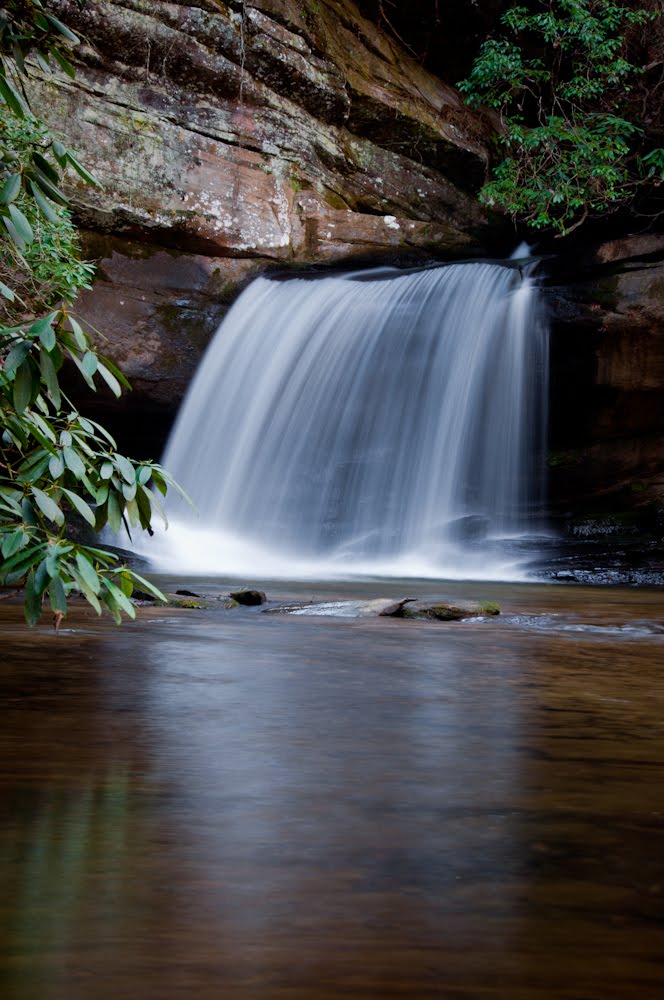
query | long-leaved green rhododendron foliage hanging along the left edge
(56,466)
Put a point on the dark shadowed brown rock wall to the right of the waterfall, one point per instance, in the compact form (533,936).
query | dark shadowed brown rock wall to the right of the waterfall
(607,415)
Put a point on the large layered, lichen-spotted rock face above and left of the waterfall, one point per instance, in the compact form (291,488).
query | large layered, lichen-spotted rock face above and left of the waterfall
(241,135)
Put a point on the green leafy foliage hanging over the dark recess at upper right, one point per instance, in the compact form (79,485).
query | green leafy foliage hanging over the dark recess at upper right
(558,76)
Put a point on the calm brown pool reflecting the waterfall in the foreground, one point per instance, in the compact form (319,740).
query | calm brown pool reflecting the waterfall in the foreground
(246,806)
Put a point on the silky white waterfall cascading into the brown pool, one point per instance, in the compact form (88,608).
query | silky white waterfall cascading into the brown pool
(382,423)
